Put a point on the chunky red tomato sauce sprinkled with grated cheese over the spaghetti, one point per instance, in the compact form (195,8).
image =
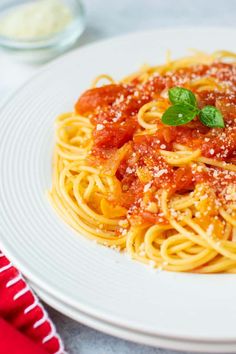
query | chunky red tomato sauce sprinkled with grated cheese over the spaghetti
(143,171)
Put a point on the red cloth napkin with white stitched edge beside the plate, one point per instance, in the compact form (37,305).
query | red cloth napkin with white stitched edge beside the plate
(25,327)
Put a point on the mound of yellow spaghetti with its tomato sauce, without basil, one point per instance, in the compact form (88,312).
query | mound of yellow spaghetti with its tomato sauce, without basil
(165,194)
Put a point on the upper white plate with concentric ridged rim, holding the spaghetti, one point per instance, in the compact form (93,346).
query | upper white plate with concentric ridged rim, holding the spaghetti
(88,277)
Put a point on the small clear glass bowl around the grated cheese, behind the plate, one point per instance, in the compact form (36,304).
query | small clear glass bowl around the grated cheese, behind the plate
(43,49)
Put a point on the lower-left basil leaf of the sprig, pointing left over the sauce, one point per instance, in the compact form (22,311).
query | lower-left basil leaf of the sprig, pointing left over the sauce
(179,114)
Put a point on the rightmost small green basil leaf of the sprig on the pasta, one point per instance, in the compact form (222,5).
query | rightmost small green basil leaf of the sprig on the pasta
(211,117)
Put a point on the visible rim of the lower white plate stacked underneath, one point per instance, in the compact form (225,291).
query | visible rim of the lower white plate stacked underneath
(138,337)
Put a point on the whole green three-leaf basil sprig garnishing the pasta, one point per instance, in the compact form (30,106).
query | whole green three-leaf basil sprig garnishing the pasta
(184,109)
